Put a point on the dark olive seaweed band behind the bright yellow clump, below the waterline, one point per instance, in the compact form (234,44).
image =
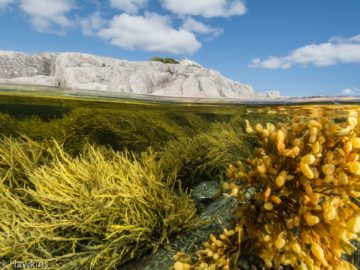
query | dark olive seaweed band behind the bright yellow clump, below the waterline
(131,129)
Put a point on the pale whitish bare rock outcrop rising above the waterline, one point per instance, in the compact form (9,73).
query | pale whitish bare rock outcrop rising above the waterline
(89,72)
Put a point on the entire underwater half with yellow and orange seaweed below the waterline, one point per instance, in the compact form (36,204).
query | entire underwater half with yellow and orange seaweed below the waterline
(92,182)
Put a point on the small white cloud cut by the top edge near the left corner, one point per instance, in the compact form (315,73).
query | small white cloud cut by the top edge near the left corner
(48,16)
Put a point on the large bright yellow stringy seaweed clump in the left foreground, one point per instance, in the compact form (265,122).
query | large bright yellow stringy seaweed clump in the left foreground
(94,211)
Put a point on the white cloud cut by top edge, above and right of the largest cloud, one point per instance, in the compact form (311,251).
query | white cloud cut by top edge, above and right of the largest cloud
(206,8)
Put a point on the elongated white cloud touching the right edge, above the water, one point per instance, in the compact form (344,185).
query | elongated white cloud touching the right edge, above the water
(336,50)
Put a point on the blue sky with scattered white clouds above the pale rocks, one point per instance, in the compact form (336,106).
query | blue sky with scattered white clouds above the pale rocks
(298,47)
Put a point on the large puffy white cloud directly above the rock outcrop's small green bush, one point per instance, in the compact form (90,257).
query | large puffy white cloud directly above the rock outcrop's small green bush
(151,32)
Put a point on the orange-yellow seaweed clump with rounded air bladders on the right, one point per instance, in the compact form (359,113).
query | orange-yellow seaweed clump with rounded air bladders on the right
(299,199)
